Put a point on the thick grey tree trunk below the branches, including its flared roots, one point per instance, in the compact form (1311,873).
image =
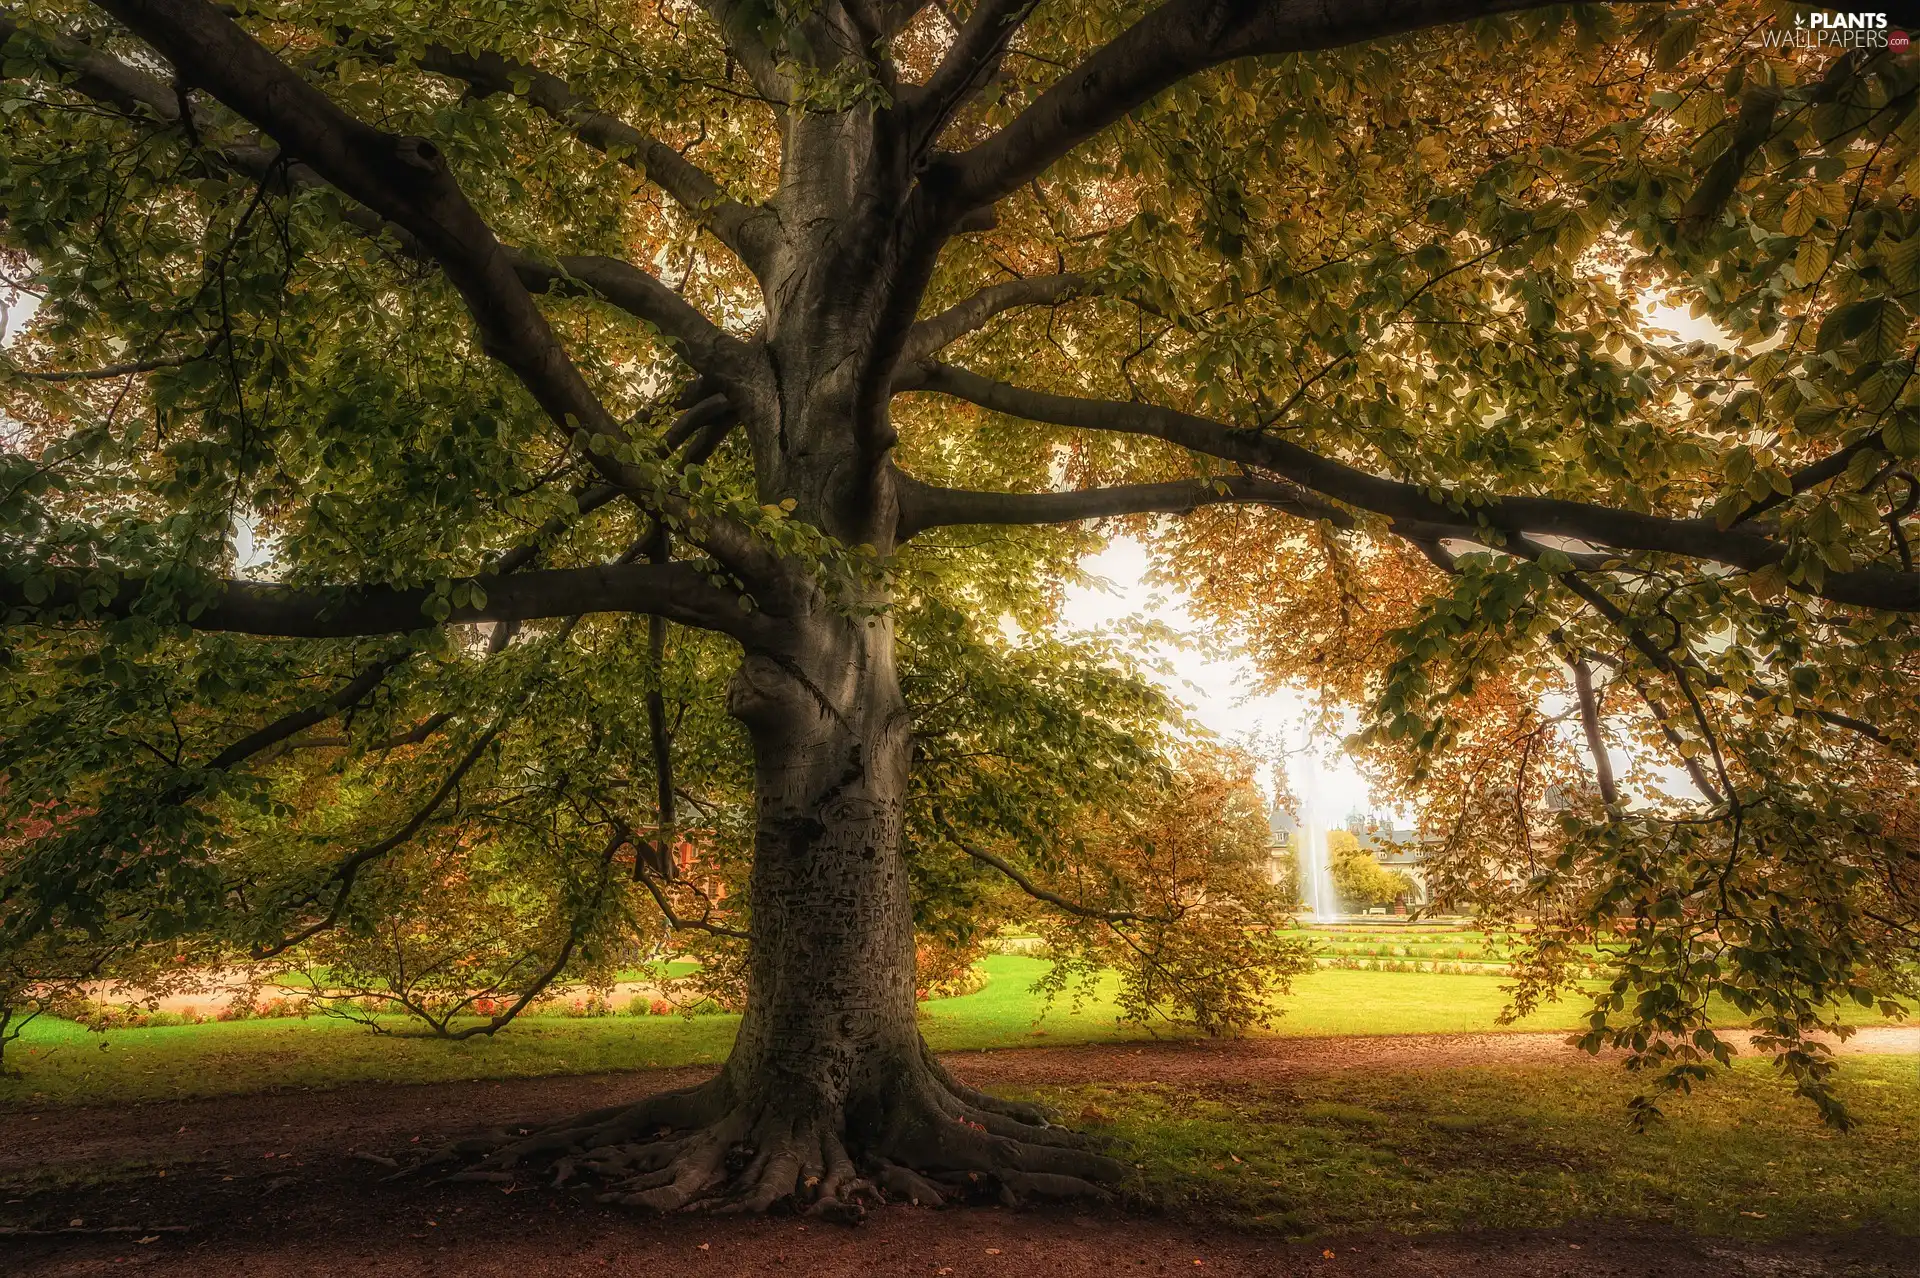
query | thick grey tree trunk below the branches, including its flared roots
(830,1099)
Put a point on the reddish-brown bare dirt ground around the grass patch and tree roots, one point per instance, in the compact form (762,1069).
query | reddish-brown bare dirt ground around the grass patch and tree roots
(277,1185)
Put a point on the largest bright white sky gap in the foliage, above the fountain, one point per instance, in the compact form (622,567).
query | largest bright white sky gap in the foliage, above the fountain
(1216,682)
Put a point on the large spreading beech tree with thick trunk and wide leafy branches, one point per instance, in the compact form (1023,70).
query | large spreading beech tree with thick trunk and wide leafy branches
(750,318)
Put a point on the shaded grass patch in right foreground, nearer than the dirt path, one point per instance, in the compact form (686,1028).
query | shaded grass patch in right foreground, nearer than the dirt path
(1520,1147)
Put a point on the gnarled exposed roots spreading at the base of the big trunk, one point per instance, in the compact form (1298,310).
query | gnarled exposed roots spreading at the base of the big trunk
(924,1139)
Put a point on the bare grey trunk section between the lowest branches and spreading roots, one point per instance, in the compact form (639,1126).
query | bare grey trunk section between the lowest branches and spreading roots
(830,1010)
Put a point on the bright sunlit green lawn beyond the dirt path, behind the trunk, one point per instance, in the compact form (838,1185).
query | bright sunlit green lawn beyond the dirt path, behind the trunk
(60,1062)
